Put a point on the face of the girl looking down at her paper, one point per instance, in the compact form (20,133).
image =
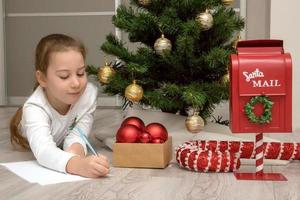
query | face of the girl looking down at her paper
(65,80)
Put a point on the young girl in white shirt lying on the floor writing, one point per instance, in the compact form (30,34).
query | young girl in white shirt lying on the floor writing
(62,99)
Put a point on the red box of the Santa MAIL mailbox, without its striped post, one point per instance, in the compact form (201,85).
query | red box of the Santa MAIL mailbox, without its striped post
(261,67)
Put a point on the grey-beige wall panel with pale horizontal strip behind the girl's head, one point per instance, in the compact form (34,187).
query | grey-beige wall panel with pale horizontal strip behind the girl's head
(40,19)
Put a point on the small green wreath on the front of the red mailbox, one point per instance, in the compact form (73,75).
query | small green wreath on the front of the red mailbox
(266,116)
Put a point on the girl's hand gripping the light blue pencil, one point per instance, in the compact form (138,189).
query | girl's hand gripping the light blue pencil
(90,166)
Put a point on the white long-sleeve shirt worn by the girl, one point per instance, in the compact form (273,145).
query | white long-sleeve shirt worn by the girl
(48,131)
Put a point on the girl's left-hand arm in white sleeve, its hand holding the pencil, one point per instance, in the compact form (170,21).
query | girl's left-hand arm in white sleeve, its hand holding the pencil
(37,129)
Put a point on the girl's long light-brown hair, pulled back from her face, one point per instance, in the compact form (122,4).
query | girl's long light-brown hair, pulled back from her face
(47,45)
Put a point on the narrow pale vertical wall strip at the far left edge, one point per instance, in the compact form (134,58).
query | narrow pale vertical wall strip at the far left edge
(2,69)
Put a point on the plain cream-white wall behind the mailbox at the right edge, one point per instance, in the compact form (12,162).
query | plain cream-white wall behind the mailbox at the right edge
(285,25)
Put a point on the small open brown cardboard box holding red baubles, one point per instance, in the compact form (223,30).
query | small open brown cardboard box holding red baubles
(144,155)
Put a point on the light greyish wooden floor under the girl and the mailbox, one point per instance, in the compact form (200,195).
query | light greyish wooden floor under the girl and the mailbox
(127,183)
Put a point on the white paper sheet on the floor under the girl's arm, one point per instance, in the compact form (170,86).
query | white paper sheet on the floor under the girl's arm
(32,172)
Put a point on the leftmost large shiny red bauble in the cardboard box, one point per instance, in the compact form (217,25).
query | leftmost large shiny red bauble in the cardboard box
(128,134)
